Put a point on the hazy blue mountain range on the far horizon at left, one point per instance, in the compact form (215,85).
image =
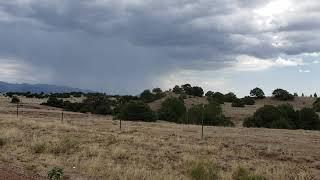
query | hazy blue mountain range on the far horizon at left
(37,88)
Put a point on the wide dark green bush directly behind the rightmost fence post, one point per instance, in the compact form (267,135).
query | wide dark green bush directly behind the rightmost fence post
(212,115)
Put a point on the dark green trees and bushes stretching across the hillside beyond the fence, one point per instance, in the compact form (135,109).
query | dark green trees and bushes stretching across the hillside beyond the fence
(173,109)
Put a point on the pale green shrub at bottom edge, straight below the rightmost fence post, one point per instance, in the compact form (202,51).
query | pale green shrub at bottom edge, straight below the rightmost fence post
(204,171)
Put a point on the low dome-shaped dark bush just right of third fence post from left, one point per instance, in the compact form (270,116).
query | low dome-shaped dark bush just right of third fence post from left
(136,111)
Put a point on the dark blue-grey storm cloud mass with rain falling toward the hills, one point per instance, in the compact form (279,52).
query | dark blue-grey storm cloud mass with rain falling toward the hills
(123,45)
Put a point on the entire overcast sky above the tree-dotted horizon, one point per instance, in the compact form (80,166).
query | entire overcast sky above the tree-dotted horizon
(125,46)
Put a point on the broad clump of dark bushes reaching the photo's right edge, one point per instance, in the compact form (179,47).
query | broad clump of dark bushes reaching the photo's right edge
(284,117)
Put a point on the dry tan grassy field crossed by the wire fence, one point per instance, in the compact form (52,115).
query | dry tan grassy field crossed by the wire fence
(93,147)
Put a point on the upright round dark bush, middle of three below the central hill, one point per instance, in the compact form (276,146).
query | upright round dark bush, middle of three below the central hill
(172,110)
